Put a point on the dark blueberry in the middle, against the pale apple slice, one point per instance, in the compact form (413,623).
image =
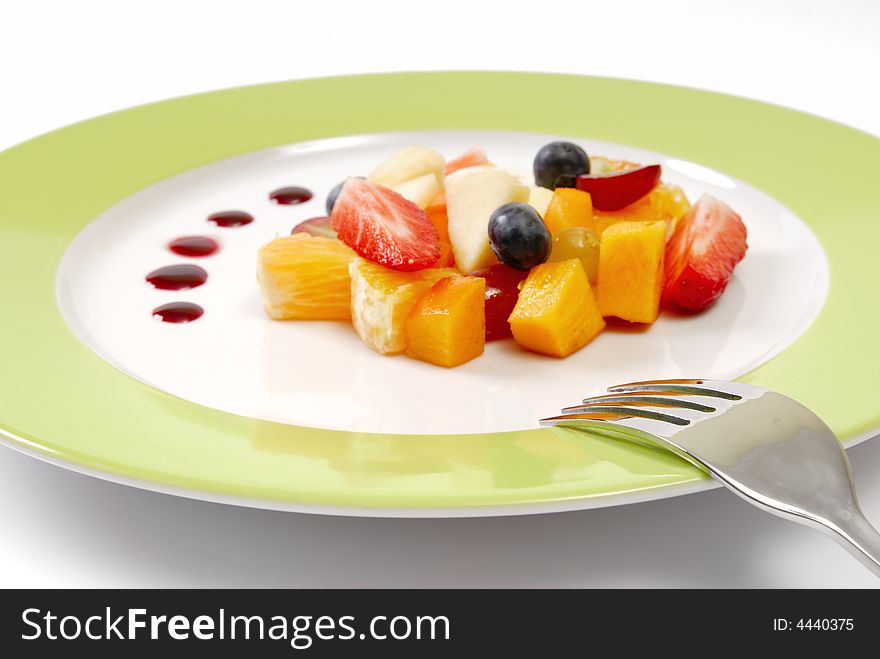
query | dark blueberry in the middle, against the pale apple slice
(519,236)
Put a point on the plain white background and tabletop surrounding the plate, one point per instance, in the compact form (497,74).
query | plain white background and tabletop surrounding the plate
(63,61)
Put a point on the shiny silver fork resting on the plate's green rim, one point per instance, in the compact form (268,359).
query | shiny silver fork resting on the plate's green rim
(767,448)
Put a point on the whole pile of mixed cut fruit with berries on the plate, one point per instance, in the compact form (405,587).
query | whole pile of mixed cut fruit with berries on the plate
(433,258)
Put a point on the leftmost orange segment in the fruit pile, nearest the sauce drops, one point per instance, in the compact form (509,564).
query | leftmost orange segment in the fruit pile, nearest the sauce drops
(305,277)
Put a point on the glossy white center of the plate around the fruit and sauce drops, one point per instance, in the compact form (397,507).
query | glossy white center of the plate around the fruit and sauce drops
(319,374)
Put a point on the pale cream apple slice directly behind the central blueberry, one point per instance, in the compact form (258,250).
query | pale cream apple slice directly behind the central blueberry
(472,195)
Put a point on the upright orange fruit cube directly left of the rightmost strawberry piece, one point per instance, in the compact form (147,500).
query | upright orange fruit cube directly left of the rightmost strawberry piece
(631,270)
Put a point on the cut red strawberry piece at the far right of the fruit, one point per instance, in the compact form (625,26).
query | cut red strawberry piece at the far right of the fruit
(700,256)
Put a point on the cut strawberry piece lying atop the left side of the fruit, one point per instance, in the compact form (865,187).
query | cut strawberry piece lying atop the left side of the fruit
(383,227)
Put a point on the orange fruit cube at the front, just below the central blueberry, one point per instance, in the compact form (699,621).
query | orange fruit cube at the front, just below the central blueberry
(556,313)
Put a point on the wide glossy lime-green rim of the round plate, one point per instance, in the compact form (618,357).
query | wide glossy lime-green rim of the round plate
(63,403)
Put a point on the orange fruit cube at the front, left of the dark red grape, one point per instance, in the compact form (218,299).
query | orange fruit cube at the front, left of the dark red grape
(447,327)
